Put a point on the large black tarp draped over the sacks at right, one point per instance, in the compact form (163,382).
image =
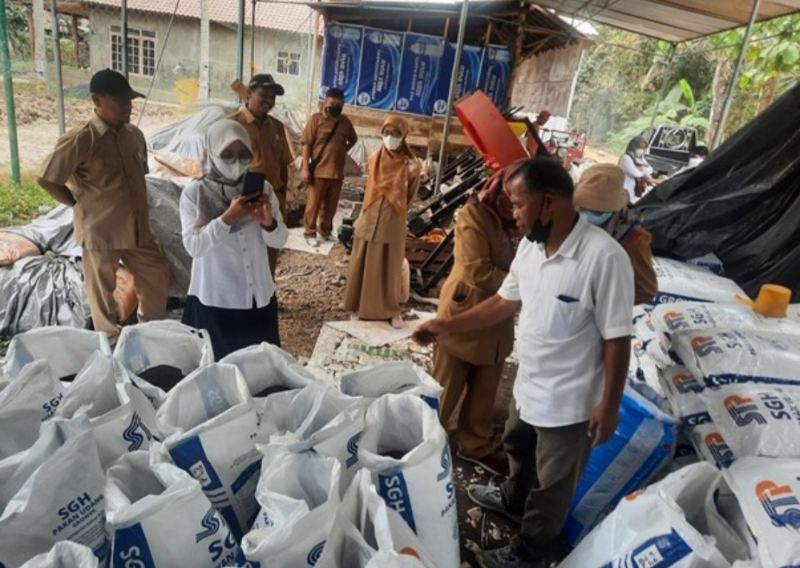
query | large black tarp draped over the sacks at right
(742,203)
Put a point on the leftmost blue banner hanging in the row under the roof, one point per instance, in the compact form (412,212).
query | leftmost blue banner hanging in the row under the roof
(341,59)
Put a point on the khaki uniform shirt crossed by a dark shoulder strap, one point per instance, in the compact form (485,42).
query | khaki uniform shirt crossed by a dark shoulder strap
(317,131)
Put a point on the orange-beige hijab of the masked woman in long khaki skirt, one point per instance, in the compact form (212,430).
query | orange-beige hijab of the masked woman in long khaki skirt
(389,173)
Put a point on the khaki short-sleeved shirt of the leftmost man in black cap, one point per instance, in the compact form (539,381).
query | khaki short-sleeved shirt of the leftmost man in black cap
(104,169)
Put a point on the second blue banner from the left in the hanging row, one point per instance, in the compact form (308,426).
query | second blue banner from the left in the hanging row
(380,69)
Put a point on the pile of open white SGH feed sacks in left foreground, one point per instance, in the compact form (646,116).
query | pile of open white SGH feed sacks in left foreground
(153,455)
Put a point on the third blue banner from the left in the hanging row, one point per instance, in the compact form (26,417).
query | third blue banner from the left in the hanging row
(419,73)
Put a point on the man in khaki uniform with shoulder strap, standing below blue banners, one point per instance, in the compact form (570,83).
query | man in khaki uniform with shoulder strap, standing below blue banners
(327,138)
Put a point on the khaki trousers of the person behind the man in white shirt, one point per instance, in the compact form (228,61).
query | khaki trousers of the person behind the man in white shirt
(478,384)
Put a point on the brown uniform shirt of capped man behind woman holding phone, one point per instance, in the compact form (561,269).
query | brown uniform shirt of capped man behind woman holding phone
(271,152)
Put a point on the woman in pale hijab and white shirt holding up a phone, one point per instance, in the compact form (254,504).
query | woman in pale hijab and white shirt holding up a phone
(231,294)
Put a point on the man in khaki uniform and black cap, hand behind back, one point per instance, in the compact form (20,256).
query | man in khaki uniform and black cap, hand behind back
(99,170)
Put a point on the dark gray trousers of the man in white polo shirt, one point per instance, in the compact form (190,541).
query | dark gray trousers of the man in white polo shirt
(545,466)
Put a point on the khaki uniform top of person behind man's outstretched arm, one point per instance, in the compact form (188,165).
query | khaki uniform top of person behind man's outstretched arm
(473,279)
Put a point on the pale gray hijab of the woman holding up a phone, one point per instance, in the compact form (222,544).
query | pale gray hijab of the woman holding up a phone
(216,190)
